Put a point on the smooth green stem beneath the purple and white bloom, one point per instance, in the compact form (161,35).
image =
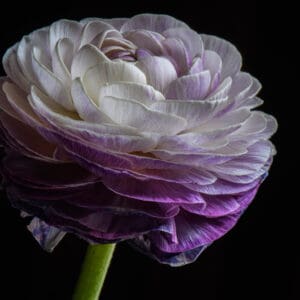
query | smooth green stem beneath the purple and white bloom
(93,271)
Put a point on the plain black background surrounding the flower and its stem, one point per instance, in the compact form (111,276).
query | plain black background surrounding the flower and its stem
(257,259)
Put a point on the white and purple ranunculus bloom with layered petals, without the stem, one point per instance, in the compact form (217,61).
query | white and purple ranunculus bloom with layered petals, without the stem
(134,129)
